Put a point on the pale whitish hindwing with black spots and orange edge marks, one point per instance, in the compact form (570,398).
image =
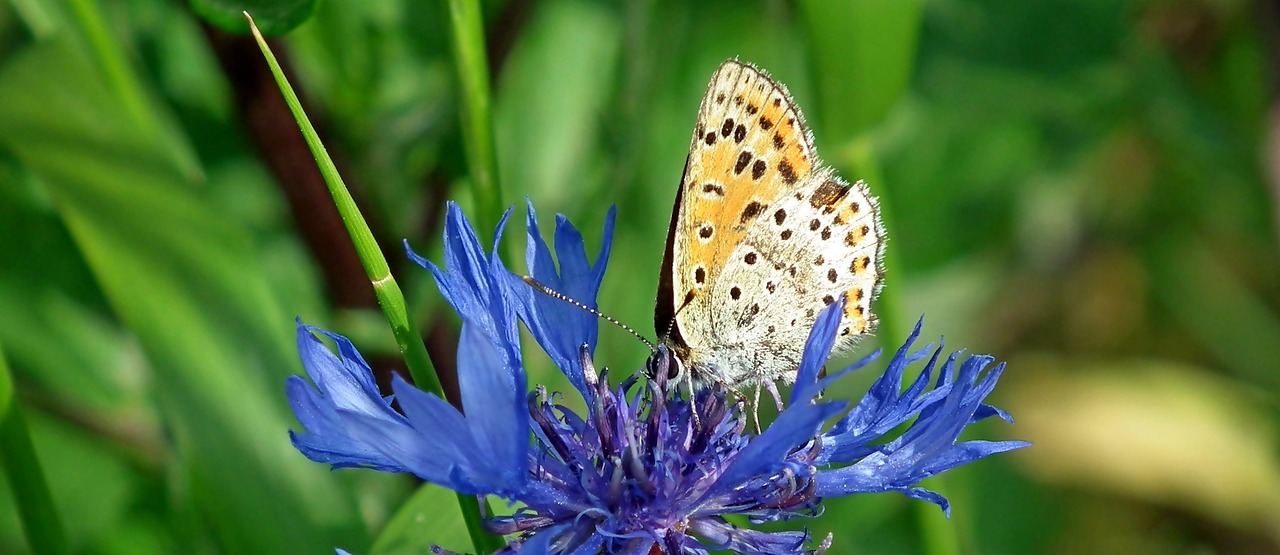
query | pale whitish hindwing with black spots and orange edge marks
(819,244)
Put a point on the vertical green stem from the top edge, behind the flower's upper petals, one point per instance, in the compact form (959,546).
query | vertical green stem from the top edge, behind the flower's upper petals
(477,114)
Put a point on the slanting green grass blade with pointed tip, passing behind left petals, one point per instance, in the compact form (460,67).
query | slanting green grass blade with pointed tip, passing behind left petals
(386,288)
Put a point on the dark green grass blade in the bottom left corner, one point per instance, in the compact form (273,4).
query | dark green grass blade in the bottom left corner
(36,510)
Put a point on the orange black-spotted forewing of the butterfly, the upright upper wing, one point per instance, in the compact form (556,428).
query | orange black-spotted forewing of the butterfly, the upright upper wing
(751,149)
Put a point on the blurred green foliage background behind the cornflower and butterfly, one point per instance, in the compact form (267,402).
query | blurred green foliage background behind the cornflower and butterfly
(1085,189)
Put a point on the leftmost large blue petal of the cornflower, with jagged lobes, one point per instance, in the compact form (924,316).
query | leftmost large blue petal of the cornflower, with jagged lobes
(349,424)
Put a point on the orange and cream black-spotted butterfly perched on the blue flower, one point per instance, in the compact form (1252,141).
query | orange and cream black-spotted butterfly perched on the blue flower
(762,238)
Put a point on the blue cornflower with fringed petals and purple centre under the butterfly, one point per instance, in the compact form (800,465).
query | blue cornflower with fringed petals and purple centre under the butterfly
(638,473)
